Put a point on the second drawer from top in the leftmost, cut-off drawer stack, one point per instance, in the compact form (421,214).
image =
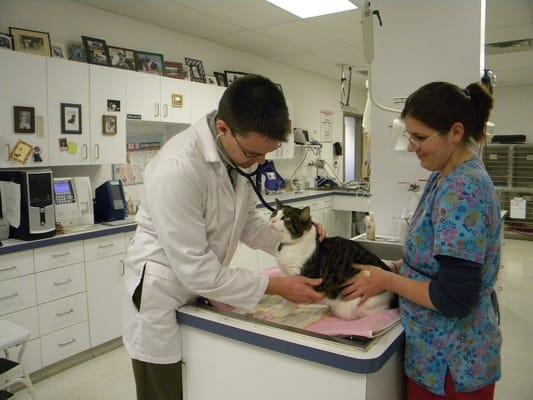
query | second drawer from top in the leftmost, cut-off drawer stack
(17,294)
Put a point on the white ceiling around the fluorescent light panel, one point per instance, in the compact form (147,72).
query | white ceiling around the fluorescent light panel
(317,44)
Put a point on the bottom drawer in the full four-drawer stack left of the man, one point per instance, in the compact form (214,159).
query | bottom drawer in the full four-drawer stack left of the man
(64,343)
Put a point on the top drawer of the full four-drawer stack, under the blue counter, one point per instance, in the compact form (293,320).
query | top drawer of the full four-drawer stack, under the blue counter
(58,255)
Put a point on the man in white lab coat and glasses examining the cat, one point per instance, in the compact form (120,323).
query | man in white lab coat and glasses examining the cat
(195,210)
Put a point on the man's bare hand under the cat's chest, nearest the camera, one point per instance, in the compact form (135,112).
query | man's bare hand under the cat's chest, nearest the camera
(298,289)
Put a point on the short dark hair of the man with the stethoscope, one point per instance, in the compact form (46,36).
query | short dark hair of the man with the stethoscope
(254,104)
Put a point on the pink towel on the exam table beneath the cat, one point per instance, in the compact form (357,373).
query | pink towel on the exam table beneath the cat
(370,326)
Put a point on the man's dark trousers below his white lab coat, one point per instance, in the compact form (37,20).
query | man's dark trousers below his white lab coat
(157,381)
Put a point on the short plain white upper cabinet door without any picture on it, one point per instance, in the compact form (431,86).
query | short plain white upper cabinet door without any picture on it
(143,95)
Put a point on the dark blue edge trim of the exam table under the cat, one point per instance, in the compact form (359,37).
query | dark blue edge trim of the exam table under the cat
(296,350)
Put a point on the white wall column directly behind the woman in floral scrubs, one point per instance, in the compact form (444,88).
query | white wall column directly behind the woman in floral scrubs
(420,42)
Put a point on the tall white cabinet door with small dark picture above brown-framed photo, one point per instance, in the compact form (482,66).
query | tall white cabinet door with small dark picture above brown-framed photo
(108,139)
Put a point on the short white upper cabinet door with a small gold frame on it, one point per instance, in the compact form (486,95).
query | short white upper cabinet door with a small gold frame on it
(175,100)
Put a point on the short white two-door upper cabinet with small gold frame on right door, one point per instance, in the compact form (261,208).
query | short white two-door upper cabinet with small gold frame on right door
(156,98)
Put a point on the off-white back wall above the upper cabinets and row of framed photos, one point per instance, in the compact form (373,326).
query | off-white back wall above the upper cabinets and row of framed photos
(67,21)
